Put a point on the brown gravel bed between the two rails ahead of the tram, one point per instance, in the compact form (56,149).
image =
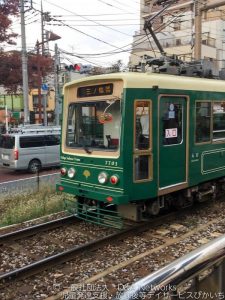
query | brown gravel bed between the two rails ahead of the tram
(34,248)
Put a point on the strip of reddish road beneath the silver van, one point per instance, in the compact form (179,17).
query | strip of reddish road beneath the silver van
(10,175)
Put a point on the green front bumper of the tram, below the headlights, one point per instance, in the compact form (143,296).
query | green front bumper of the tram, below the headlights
(95,193)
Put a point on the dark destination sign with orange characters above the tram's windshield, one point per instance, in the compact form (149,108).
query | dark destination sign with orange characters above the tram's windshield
(95,90)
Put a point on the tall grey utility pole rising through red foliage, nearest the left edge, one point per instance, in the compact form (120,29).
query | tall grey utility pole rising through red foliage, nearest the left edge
(24,65)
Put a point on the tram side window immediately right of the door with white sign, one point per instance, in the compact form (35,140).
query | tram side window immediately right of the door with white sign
(203,121)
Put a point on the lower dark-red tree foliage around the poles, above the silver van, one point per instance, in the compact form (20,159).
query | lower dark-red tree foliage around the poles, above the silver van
(11,70)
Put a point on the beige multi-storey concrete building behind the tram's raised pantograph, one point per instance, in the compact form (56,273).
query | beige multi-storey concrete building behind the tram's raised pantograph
(175,29)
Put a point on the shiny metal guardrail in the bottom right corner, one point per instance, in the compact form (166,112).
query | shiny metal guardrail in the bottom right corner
(197,275)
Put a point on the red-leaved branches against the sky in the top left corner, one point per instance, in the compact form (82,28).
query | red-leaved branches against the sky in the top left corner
(7,8)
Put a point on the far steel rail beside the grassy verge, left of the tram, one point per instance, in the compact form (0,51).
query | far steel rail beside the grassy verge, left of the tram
(32,230)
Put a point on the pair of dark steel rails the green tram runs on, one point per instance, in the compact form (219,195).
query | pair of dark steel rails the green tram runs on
(67,255)
